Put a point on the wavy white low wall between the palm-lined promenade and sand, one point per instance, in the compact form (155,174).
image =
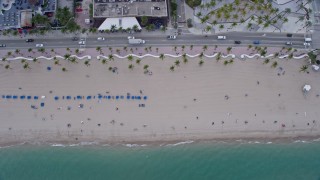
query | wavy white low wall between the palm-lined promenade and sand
(242,56)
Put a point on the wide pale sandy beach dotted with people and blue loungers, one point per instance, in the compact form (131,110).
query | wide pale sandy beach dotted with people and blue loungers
(246,99)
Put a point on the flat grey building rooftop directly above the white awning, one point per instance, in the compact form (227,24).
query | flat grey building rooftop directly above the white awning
(126,8)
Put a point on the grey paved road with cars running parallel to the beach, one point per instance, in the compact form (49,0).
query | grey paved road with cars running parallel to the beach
(269,39)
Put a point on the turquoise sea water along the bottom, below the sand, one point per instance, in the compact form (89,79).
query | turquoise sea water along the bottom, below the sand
(214,161)
